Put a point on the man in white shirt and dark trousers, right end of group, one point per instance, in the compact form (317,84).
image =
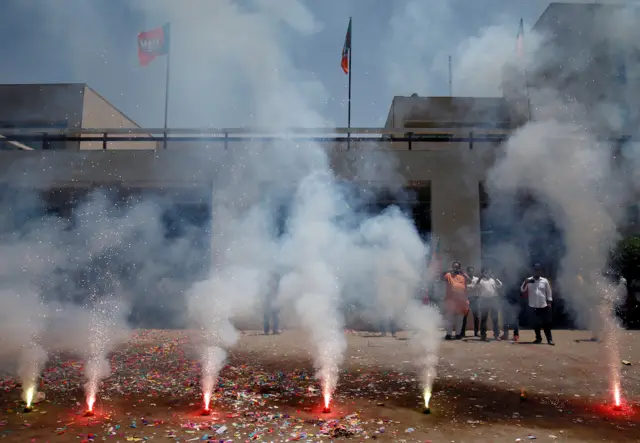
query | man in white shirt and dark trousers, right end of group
(538,291)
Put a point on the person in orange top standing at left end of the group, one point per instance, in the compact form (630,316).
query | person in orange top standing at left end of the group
(456,302)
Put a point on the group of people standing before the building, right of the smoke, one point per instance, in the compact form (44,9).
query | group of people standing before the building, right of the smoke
(479,295)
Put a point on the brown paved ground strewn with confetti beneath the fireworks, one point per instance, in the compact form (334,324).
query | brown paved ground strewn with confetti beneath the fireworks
(267,393)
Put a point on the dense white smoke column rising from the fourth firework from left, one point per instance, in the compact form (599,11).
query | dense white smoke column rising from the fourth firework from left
(310,279)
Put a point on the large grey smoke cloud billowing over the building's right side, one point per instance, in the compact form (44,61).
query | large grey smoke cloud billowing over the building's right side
(560,157)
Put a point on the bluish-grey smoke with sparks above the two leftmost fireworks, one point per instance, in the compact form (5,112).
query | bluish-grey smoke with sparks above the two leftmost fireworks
(68,284)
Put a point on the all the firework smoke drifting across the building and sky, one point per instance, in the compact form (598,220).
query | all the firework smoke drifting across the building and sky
(282,228)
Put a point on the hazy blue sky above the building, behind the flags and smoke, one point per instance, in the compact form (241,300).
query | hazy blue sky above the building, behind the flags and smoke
(399,47)
